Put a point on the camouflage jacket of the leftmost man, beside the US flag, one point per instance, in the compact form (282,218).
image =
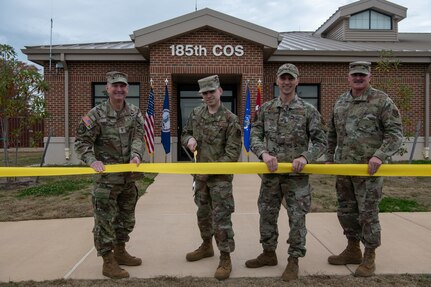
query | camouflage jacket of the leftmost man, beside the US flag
(111,137)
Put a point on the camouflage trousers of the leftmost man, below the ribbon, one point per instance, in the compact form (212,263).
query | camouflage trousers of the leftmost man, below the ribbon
(114,214)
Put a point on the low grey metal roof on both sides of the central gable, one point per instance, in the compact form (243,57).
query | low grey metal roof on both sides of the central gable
(294,46)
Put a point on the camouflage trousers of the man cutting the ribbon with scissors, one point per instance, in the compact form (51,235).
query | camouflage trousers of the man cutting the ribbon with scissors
(214,199)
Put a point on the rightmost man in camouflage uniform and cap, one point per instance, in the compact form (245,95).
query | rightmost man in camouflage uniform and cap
(365,127)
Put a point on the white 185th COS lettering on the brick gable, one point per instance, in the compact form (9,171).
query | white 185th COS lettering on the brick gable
(199,50)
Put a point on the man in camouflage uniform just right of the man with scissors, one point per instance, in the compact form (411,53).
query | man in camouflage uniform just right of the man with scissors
(287,129)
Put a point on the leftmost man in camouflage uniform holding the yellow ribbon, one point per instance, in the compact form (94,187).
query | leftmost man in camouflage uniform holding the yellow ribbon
(112,133)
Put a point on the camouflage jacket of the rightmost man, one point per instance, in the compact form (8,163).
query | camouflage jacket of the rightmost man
(363,127)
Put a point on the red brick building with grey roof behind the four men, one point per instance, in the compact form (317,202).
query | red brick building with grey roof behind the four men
(187,48)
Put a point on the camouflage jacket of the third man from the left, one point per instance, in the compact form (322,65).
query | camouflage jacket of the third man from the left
(286,133)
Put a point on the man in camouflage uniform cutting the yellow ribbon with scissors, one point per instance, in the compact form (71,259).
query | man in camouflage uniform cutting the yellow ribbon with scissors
(214,133)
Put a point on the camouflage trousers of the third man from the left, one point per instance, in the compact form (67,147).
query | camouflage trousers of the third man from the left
(297,192)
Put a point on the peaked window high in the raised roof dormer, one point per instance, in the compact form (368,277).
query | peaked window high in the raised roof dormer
(370,20)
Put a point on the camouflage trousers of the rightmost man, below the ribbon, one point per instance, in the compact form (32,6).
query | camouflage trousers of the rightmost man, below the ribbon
(358,208)
